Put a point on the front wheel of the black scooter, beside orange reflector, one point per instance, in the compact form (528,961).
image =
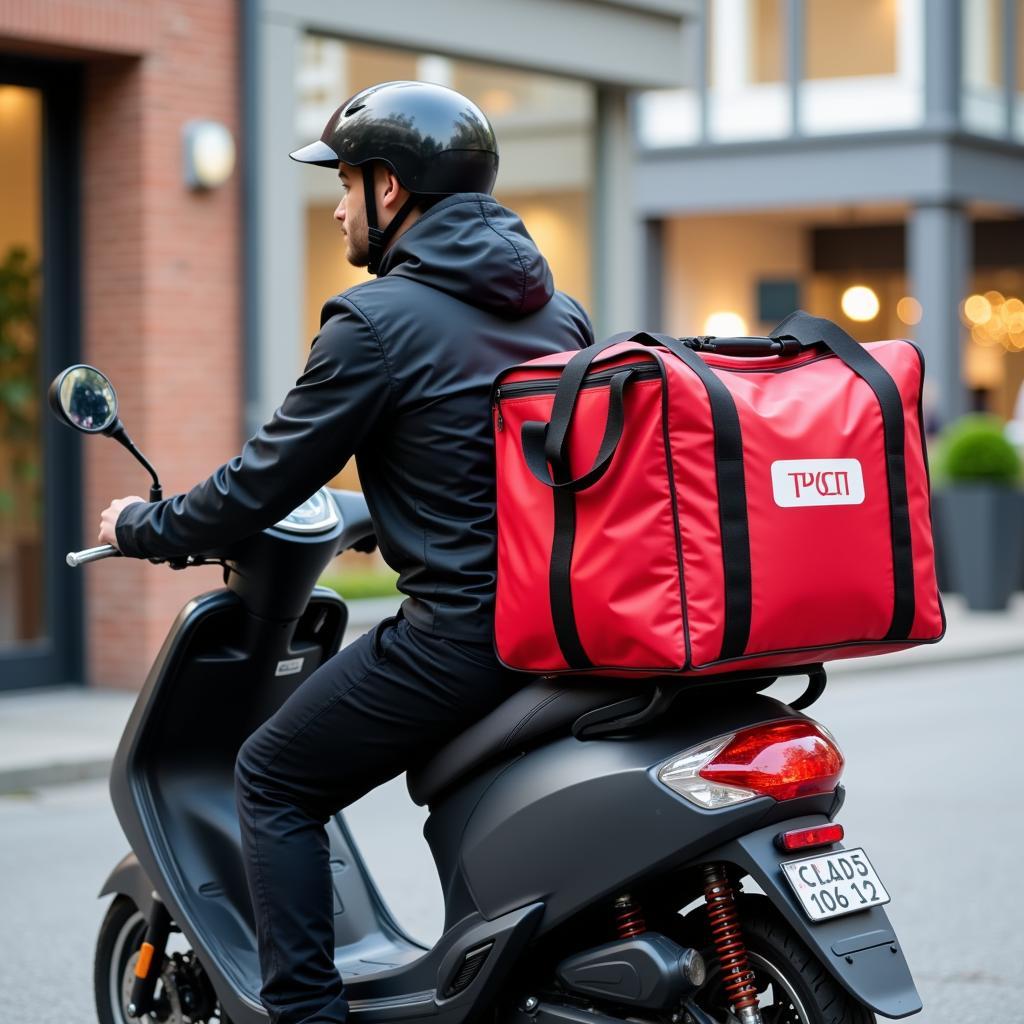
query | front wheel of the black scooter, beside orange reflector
(184,994)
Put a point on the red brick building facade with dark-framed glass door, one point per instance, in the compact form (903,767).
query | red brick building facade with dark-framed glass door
(123,267)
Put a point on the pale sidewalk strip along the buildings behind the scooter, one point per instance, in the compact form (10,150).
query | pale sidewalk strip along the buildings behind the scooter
(70,734)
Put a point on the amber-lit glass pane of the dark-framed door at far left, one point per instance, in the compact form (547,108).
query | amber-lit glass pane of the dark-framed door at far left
(22,618)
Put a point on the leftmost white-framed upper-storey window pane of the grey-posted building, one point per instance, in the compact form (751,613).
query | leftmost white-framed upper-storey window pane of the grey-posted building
(748,93)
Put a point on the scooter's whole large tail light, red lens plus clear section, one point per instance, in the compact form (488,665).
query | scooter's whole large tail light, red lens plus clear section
(783,760)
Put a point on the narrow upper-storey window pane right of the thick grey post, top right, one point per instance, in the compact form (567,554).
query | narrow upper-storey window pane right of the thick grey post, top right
(984,101)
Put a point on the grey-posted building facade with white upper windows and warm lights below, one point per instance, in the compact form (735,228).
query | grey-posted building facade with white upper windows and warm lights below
(864,161)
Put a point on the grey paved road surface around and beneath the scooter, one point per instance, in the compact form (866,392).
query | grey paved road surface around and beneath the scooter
(934,778)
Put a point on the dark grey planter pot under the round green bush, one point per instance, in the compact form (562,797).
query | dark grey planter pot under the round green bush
(982,532)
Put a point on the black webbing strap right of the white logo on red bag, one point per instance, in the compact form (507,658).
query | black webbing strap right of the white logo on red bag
(814,330)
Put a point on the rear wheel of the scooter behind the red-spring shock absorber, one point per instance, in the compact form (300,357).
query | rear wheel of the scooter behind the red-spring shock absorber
(794,986)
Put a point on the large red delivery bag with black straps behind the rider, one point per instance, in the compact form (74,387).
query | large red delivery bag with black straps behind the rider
(700,506)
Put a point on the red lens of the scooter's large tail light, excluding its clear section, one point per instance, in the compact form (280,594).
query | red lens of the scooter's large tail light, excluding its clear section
(782,760)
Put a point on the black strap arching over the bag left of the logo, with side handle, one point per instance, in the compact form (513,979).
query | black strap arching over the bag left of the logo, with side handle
(545,443)
